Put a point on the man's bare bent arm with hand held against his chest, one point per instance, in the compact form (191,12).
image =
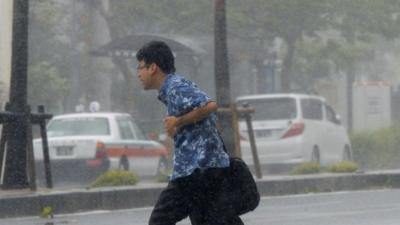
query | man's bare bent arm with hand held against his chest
(172,124)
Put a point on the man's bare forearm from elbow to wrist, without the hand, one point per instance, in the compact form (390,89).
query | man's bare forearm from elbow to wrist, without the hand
(197,114)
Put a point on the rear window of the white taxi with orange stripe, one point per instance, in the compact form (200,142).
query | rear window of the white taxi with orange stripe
(78,127)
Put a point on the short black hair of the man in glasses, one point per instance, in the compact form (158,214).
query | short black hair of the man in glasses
(157,52)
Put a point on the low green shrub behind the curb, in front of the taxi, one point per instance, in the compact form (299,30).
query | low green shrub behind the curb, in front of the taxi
(115,178)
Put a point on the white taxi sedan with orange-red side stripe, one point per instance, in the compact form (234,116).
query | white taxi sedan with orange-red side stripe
(81,143)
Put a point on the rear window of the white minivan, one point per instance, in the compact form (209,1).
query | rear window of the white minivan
(272,108)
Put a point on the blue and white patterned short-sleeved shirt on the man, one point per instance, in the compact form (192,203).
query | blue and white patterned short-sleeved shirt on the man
(197,145)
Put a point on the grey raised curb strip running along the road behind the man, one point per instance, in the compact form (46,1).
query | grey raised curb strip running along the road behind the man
(18,203)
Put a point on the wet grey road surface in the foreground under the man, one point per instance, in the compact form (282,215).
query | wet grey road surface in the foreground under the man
(377,207)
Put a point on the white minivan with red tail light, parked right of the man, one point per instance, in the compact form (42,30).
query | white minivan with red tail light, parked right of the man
(294,128)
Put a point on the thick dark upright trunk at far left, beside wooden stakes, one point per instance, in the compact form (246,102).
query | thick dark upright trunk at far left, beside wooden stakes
(15,174)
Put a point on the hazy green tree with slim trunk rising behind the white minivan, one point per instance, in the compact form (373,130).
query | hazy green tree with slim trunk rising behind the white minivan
(294,20)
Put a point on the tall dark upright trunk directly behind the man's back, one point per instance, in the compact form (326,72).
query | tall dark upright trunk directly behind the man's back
(222,81)
